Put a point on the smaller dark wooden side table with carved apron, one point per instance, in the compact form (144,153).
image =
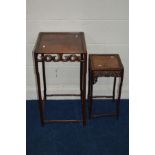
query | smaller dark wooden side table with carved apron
(105,65)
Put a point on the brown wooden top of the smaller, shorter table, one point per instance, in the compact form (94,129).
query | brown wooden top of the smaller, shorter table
(106,62)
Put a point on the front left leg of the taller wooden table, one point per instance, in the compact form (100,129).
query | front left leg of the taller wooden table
(39,91)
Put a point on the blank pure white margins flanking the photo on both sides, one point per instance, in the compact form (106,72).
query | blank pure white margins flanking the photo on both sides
(13,77)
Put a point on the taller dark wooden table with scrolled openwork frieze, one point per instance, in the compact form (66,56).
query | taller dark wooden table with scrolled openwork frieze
(60,47)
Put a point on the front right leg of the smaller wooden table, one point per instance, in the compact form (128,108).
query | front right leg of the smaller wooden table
(119,96)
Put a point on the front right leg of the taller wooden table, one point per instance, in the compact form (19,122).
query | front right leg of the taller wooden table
(84,70)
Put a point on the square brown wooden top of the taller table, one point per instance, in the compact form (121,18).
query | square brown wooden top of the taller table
(60,43)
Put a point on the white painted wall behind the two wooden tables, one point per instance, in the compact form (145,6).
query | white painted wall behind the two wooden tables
(105,24)
